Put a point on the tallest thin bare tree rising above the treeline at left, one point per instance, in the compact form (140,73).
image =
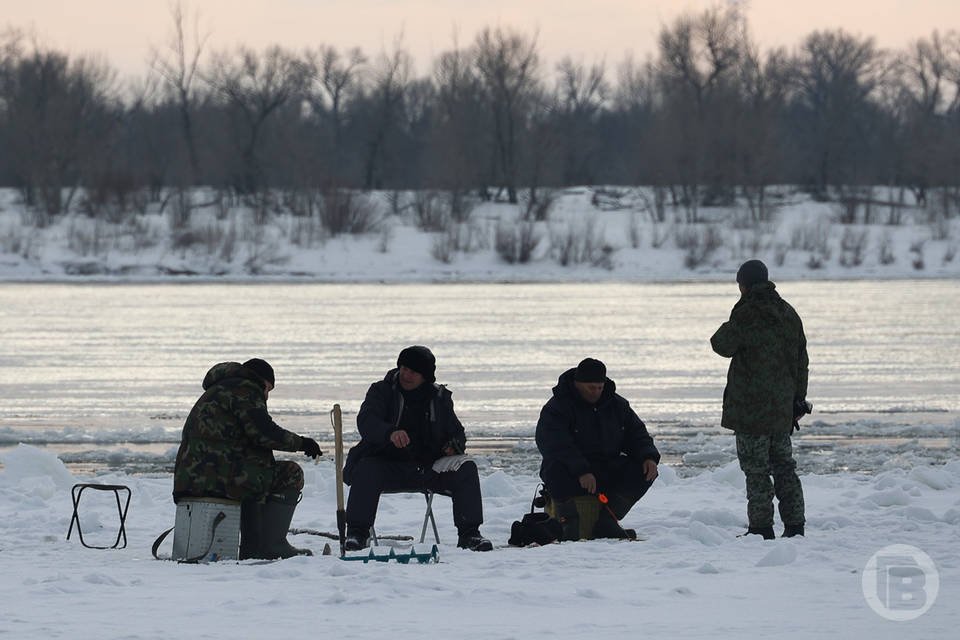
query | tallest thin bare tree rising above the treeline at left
(178,65)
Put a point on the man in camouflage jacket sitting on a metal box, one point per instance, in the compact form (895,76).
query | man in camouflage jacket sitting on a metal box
(226,451)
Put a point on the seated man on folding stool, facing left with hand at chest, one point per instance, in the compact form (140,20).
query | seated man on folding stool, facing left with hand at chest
(408,430)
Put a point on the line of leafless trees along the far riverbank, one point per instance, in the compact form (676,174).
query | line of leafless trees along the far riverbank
(709,119)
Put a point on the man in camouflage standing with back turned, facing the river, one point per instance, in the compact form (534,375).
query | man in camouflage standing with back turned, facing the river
(765,396)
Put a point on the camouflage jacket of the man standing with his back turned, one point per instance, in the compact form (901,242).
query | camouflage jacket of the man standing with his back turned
(768,371)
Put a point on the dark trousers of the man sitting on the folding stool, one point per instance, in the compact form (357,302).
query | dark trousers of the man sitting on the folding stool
(372,476)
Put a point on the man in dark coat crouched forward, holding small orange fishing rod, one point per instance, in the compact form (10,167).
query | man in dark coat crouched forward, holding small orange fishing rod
(593,443)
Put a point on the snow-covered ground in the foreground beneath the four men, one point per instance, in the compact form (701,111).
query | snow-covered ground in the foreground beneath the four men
(691,578)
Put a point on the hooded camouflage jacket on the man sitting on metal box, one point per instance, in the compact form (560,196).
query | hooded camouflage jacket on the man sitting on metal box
(226,449)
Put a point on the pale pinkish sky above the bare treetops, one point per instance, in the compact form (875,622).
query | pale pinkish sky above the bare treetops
(124,30)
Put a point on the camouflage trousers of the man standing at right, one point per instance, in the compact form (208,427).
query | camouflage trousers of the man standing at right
(761,457)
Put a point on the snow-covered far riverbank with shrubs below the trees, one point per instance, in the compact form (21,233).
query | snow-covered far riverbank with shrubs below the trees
(600,233)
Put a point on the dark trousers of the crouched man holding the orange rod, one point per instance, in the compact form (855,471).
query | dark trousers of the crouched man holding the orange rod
(621,477)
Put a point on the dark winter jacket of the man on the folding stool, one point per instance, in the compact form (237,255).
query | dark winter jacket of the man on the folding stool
(380,415)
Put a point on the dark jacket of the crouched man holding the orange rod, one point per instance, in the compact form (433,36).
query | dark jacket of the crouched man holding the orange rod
(578,436)
